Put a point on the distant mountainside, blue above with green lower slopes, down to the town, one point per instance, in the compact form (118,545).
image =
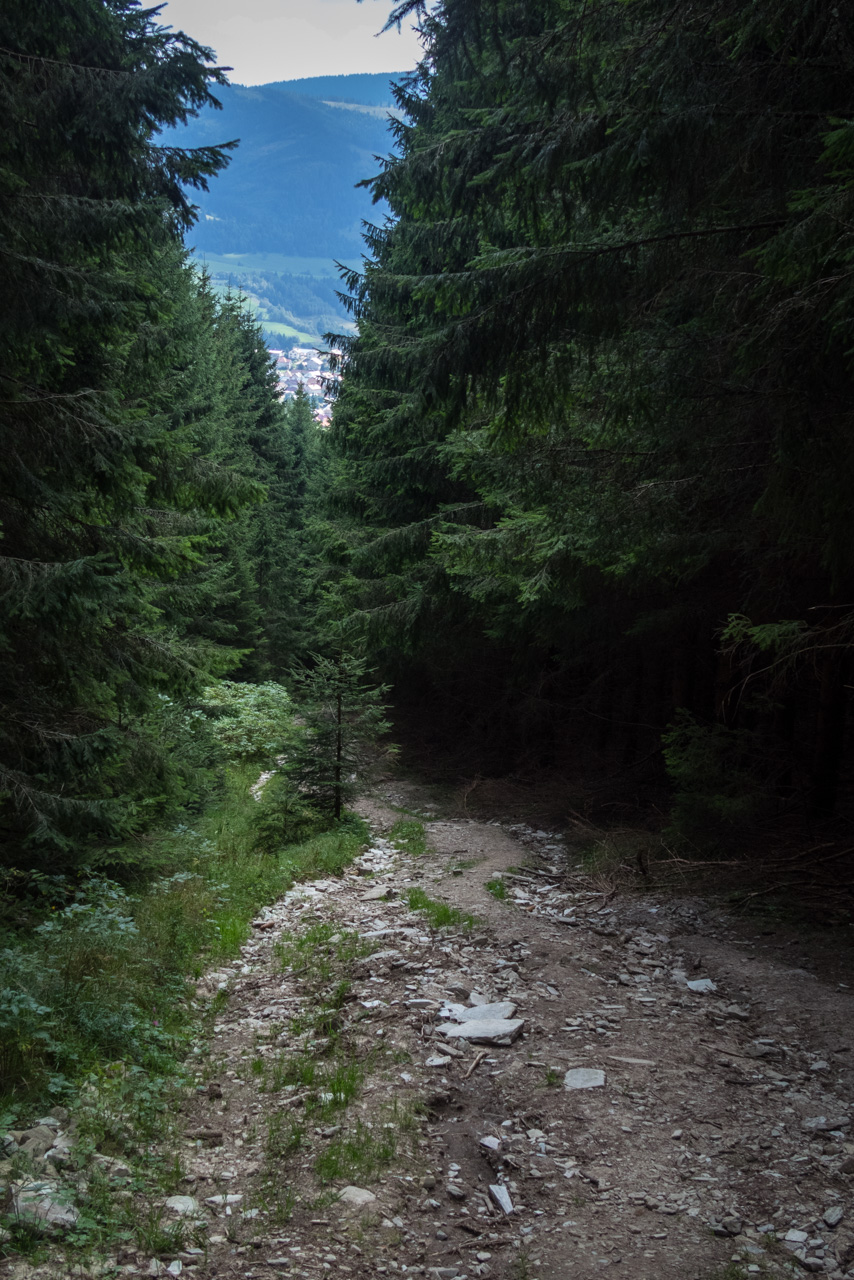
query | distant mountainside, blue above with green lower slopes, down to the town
(291,191)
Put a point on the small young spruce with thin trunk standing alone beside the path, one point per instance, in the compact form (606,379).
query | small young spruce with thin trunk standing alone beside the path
(344,717)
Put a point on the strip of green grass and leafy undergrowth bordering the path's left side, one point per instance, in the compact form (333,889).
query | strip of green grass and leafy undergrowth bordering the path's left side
(106,977)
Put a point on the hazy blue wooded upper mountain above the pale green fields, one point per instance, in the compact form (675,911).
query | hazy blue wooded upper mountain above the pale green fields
(291,186)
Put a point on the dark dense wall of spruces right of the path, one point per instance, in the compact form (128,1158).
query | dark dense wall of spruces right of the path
(596,426)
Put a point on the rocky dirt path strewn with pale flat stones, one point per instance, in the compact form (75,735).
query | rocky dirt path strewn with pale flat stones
(659,1096)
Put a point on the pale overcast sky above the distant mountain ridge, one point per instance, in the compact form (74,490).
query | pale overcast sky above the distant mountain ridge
(272,40)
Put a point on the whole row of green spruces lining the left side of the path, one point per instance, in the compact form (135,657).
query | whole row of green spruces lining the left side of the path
(152,482)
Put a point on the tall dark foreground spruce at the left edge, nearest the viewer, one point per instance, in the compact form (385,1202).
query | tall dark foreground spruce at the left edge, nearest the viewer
(102,468)
